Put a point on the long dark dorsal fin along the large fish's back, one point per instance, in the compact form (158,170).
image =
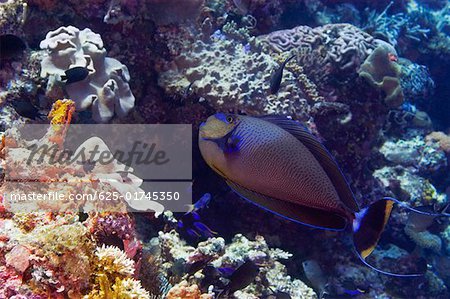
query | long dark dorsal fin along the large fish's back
(322,155)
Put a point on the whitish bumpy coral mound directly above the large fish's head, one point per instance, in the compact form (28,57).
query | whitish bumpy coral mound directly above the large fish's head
(242,86)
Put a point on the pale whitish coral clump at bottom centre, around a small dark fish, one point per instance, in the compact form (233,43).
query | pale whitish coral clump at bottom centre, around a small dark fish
(177,254)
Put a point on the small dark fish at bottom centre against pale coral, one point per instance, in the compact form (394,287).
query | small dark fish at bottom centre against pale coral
(241,278)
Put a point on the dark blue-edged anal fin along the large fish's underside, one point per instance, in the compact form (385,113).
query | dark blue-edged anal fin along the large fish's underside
(305,215)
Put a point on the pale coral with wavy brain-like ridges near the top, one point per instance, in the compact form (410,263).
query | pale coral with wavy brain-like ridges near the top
(326,52)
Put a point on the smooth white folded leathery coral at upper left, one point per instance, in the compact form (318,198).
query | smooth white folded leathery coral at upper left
(105,89)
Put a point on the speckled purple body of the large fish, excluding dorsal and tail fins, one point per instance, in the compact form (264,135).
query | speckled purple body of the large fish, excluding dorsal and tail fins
(262,157)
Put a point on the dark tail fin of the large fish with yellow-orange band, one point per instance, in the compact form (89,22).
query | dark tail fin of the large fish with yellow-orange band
(368,226)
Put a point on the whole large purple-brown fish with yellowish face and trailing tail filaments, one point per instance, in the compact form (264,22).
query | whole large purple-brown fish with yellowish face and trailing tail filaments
(277,164)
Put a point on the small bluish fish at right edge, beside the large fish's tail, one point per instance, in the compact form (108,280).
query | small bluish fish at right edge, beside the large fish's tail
(425,217)
